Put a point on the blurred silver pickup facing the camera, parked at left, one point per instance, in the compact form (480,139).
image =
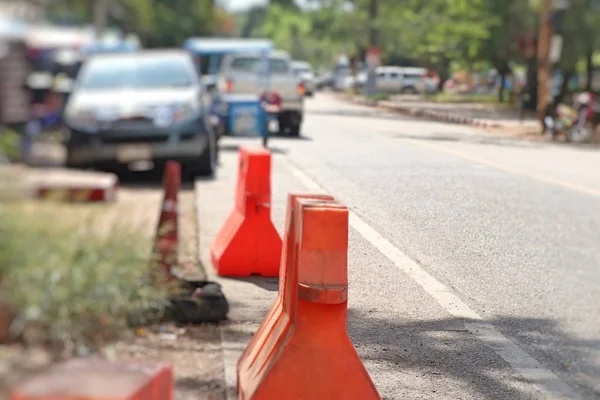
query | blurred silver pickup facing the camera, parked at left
(139,107)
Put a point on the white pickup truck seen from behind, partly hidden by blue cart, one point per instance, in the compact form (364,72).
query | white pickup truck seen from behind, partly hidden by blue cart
(245,76)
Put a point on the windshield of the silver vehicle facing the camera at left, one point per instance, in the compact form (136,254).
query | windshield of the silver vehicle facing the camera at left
(136,73)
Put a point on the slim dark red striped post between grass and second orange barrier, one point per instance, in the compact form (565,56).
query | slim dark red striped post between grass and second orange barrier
(165,243)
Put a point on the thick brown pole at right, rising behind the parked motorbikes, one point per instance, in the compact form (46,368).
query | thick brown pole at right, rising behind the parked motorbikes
(544,72)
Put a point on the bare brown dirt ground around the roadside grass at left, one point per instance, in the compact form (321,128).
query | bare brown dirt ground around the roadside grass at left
(193,351)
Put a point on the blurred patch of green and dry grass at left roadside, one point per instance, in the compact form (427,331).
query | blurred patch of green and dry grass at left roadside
(66,281)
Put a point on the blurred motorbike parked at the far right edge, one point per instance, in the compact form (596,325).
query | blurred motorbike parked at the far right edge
(578,122)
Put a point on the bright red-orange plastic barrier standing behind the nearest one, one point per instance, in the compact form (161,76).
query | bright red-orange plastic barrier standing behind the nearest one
(248,243)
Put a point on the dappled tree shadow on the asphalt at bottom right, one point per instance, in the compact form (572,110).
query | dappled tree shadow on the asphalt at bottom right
(444,350)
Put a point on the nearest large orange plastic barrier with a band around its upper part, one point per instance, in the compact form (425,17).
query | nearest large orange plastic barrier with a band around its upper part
(302,349)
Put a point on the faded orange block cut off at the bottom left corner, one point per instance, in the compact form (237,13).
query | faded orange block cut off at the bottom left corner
(94,379)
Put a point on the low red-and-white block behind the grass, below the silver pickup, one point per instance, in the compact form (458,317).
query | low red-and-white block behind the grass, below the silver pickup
(101,191)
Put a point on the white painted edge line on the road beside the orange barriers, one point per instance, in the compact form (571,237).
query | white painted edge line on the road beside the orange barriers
(550,385)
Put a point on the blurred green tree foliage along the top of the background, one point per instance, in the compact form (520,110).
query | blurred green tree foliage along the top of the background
(432,33)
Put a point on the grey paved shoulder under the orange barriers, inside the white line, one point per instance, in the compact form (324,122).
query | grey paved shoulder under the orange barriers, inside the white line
(411,345)
